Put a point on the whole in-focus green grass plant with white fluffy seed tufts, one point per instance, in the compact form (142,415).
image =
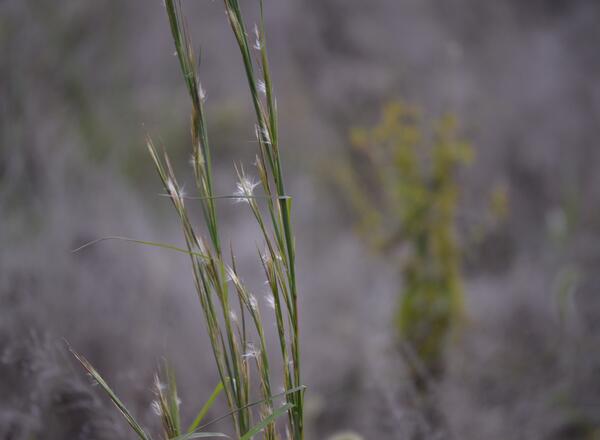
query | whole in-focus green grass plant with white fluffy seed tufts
(238,342)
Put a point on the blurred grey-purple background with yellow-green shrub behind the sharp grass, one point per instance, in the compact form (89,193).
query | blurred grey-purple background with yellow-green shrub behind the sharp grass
(504,234)
